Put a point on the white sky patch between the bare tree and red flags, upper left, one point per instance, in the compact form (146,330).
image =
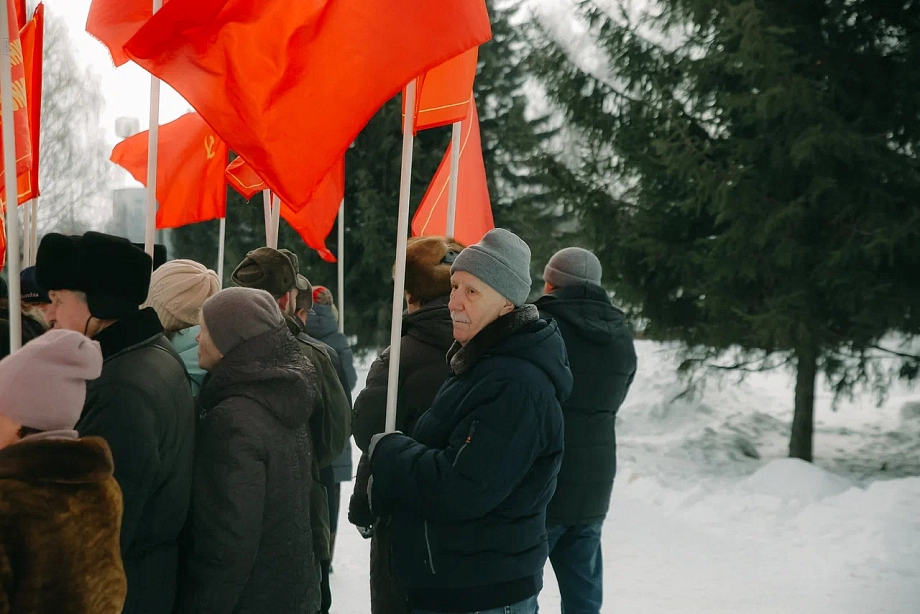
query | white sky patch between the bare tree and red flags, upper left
(126,89)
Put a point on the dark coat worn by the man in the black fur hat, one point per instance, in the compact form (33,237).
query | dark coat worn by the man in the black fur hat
(142,406)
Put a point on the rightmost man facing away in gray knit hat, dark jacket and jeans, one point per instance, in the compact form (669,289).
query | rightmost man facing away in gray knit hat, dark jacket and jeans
(603,363)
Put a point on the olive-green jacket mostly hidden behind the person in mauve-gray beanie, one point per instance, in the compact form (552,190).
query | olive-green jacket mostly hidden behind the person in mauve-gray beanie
(330,429)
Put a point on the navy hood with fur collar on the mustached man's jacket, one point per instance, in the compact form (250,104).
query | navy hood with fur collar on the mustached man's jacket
(523,335)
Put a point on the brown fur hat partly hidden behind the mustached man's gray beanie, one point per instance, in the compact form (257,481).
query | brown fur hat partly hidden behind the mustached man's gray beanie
(428,261)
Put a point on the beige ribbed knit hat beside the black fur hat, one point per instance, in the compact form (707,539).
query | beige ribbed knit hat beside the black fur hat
(178,289)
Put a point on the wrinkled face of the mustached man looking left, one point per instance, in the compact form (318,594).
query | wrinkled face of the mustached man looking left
(474,305)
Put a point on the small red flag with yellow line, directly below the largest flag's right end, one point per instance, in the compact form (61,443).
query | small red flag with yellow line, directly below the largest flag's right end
(445,92)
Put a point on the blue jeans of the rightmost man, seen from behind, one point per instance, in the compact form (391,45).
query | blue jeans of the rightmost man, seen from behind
(575,553)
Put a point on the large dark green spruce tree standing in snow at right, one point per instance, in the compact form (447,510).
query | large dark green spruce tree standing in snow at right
(763,158)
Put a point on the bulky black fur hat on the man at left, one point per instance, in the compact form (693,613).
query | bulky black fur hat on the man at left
(114,273)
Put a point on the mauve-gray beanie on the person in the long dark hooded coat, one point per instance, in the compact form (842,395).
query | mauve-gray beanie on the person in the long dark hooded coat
(236,315)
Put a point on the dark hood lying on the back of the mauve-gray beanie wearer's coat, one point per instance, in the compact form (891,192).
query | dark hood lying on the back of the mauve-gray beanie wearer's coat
(269,369)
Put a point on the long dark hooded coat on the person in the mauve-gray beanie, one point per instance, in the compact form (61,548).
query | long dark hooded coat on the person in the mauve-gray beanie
(251,549)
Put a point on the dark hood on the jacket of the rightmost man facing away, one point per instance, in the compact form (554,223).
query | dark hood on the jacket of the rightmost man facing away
(588,311)
